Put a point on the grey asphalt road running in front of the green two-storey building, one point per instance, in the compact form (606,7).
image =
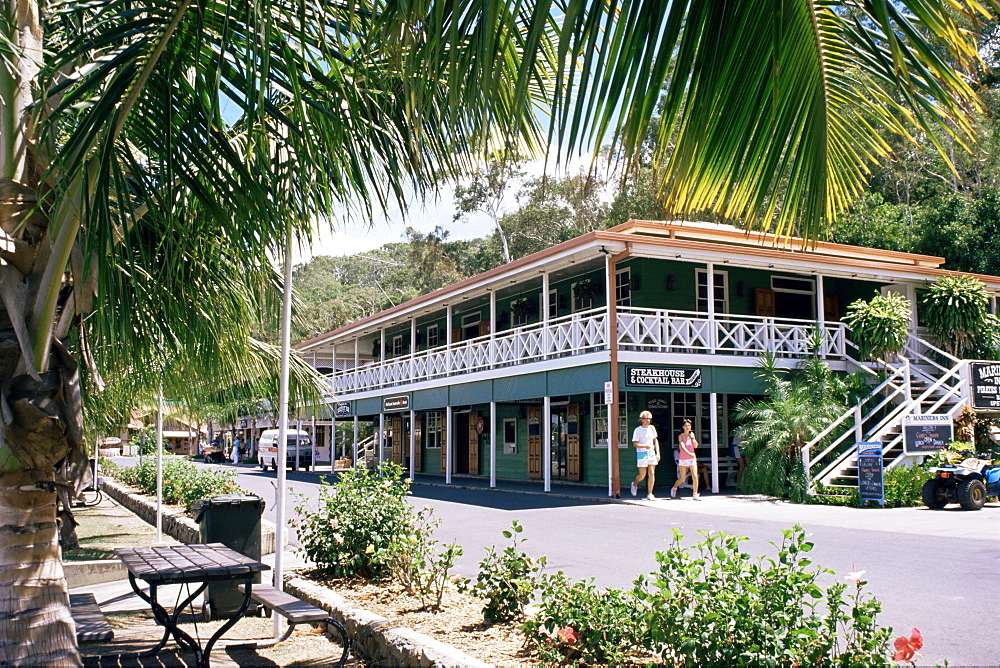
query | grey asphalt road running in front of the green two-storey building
(936,571)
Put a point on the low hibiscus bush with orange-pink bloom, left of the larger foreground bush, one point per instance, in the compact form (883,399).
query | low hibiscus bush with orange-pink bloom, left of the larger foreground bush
(576,622)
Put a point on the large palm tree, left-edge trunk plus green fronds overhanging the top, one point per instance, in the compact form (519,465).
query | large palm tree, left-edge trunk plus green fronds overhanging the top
(152,155)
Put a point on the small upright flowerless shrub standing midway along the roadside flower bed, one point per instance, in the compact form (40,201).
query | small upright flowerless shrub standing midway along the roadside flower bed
(507,580)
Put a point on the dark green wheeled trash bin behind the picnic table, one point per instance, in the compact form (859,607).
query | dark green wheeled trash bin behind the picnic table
(234,521)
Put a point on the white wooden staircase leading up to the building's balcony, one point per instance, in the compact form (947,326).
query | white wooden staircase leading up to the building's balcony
(926,381)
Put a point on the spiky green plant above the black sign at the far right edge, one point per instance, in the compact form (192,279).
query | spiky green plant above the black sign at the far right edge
(956,311)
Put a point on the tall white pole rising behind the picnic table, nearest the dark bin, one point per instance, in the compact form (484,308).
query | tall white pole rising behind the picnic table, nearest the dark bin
(286,337)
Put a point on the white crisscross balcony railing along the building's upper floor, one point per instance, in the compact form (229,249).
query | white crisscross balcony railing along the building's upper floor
(653,330)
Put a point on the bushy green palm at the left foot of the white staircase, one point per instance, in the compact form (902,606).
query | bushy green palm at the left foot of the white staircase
(797,405)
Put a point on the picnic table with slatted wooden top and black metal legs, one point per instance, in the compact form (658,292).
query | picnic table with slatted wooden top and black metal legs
(187,564)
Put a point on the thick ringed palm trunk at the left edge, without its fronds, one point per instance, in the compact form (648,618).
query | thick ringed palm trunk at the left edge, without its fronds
(41,419)
